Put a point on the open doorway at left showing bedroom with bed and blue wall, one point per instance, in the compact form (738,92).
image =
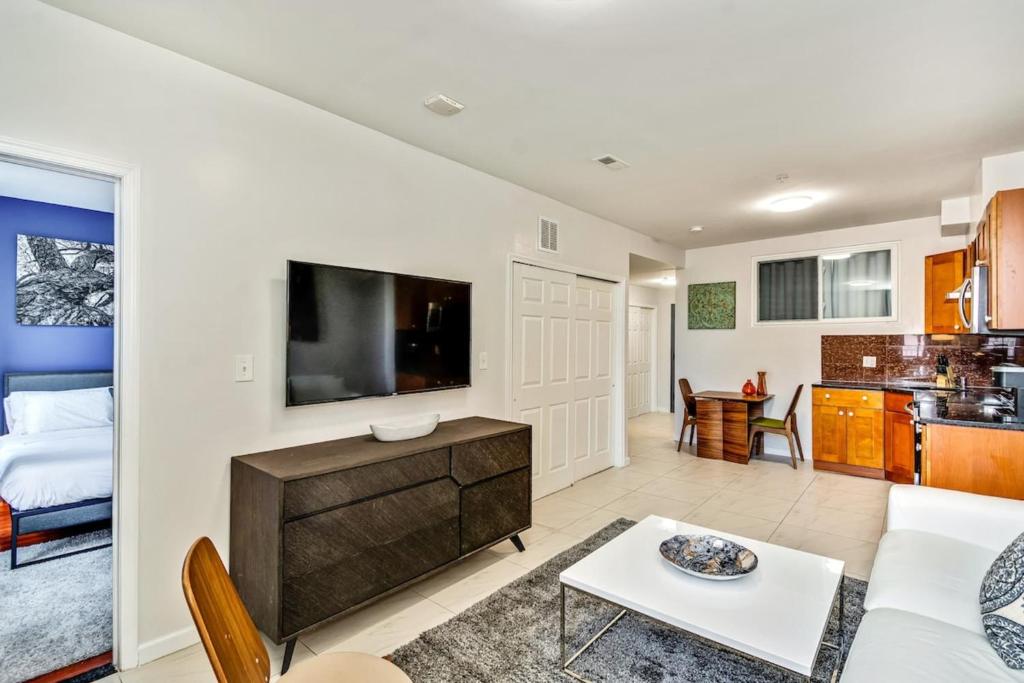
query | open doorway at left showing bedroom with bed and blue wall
(58,233)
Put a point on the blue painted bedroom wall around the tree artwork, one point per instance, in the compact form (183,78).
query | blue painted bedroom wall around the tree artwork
(25,349)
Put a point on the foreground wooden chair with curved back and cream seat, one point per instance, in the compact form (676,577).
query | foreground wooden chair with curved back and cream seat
(234,647)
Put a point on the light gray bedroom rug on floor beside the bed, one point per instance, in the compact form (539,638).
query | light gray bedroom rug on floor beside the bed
(55,614)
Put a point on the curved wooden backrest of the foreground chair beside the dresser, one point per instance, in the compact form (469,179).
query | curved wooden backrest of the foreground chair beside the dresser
(231,639)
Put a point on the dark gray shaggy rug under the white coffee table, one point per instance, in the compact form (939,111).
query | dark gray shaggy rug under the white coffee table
(514,636)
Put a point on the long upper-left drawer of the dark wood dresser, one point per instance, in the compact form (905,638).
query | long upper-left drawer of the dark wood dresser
(327,491)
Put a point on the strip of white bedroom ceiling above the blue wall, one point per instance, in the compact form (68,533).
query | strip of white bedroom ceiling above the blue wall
(37,185)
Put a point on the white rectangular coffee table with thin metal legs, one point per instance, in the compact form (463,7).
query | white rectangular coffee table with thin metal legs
(778,614)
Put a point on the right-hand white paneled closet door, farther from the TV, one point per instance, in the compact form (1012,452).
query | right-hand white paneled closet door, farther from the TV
(592,376)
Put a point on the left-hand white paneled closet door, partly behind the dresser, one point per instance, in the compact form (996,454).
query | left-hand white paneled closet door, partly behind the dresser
(542,385)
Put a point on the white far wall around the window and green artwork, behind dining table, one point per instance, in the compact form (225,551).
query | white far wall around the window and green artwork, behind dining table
(723,360)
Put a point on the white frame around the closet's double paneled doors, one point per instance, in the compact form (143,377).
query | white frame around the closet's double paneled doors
(620,297)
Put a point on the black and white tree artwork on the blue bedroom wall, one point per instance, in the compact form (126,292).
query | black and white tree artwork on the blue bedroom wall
(63,282)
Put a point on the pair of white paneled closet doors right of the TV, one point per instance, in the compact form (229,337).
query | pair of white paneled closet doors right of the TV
(562,372)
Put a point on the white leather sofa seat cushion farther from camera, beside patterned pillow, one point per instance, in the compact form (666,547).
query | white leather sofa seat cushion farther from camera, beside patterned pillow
(930,575)
